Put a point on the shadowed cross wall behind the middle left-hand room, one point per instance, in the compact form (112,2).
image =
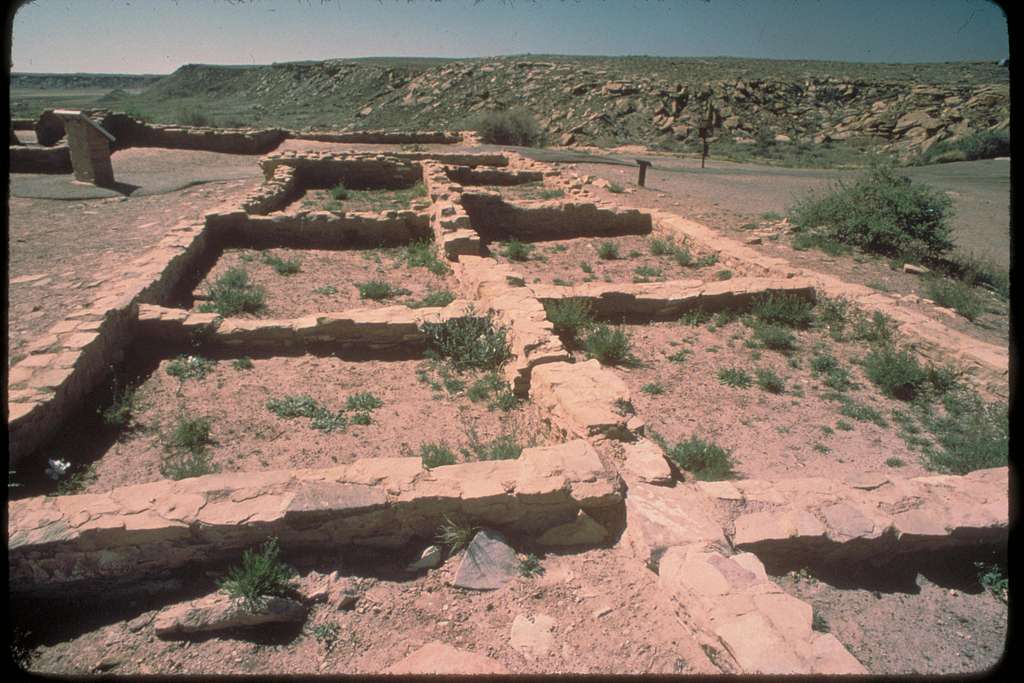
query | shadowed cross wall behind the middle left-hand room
(322,230)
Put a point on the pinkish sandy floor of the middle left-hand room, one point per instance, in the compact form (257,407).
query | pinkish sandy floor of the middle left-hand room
(296,295)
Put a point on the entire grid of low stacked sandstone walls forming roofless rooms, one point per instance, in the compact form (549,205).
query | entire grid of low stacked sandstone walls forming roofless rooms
(709,542)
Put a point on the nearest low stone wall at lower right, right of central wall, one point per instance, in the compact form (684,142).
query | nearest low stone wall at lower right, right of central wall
(801,523)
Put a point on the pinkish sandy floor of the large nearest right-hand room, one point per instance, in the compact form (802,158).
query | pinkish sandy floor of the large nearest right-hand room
(793,435)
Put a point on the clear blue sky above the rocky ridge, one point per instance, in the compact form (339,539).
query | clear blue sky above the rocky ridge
(159,36)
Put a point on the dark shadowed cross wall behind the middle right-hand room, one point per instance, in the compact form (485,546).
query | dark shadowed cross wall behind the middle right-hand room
(496,220)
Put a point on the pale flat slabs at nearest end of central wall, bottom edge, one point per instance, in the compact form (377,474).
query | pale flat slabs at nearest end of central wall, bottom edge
(763,629)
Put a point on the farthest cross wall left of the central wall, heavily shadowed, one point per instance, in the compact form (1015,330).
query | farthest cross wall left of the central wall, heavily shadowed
(322,170)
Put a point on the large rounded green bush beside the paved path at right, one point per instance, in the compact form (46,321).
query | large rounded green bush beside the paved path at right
(882,212)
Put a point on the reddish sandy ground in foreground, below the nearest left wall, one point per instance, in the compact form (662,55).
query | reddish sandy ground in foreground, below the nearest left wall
(637,631)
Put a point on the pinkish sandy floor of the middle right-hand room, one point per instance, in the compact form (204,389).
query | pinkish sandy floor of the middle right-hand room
(562,262)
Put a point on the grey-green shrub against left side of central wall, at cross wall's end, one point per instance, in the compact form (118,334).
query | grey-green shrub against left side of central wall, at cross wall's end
(468,343)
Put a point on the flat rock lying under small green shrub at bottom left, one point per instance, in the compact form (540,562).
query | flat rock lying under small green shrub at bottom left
(220,613)
